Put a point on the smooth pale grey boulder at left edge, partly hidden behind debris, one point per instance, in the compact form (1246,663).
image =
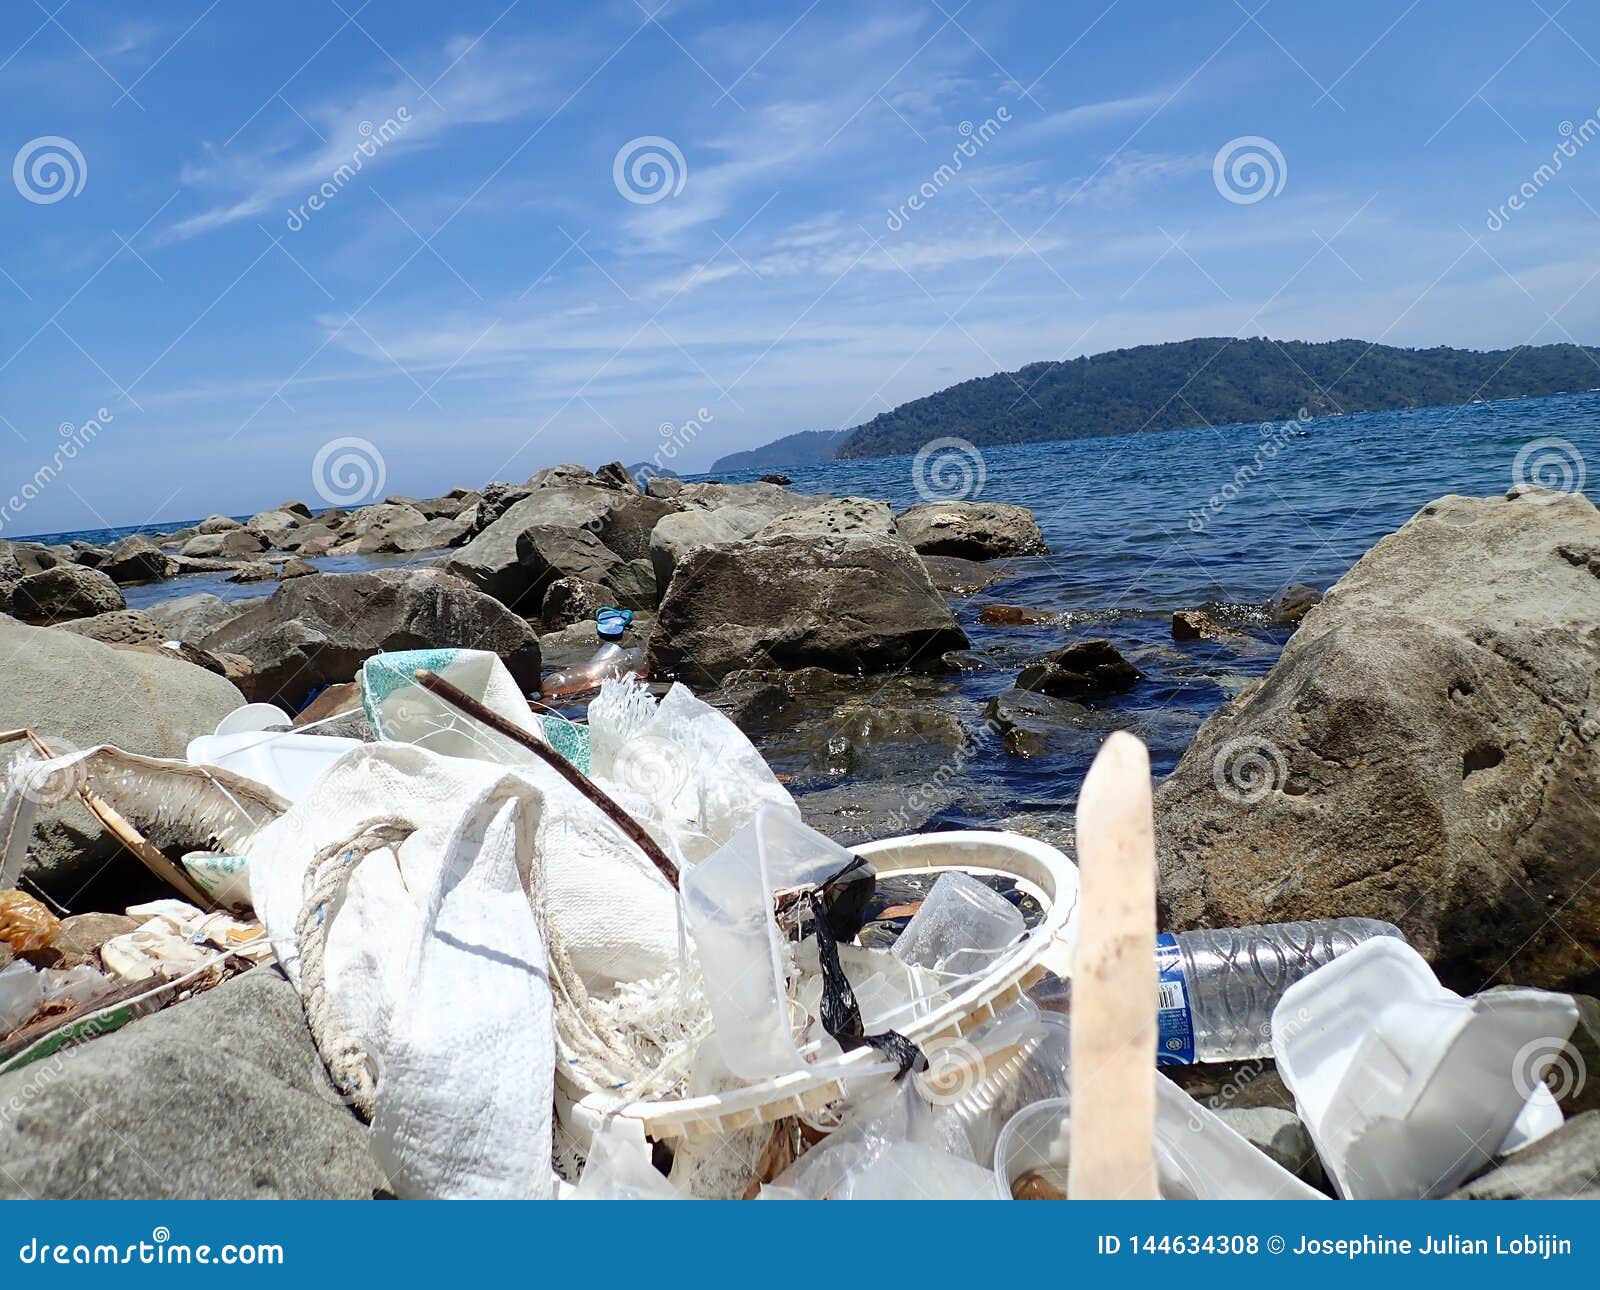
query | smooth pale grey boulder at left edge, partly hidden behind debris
(76,692)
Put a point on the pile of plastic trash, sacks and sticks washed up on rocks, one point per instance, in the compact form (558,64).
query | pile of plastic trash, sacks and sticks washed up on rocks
(606,958)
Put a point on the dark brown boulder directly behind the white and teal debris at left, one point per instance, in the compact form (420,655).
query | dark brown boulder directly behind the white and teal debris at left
(319,631)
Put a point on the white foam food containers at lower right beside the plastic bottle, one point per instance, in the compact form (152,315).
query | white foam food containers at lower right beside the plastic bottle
(1406,1088)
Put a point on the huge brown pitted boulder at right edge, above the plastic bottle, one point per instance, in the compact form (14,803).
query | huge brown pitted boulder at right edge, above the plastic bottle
(1426,751)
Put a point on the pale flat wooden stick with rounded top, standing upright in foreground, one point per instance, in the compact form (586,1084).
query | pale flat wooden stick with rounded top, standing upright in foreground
(1114,982)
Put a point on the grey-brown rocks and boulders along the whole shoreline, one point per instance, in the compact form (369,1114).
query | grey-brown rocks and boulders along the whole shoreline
(1423,751)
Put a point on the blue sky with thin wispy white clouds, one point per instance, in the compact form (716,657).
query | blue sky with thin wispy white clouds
(495,287)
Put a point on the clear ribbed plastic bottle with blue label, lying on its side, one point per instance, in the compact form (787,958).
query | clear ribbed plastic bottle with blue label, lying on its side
(1220,987)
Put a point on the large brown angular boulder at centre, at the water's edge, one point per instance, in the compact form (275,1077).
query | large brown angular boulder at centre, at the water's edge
(854,604)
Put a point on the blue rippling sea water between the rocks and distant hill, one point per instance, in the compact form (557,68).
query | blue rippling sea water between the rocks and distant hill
(1142,526)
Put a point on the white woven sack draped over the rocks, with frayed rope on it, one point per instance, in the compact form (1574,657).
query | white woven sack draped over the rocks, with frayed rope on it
(434,963)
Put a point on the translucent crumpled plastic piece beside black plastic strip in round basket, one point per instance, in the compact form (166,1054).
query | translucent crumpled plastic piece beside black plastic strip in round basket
(743,956)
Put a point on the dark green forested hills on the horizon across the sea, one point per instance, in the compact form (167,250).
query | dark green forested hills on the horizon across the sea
(1214,380)
